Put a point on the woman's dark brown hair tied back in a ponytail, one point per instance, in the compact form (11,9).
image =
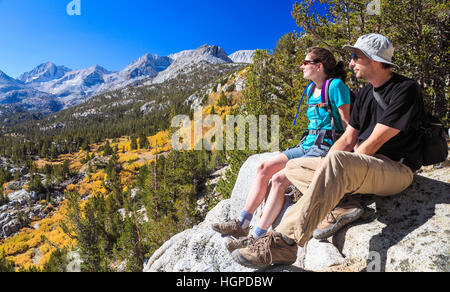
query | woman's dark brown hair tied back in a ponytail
(333,69)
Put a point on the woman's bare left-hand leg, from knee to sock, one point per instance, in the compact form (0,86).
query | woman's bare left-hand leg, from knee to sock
(265,172)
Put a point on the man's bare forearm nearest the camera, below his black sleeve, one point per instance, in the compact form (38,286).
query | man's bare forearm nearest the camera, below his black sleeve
(380,135)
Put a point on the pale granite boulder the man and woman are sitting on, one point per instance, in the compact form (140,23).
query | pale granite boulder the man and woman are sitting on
(407,232)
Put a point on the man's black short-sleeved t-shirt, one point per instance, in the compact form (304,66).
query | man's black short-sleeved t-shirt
(405,108)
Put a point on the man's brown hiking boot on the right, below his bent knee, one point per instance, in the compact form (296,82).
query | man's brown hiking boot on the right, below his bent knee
(340,216)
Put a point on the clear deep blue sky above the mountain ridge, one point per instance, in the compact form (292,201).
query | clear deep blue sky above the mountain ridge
(113,33)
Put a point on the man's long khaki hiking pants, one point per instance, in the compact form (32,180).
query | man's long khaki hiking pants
(324,185)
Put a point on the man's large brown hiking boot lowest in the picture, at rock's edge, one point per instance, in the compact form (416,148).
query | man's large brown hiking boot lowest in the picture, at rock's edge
(273,248)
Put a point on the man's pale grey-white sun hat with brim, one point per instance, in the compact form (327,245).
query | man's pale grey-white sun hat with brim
(376,47)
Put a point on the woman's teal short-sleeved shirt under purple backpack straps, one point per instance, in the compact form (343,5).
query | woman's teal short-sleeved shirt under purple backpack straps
(319,118)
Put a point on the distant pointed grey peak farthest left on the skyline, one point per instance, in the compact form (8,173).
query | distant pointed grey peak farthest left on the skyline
(43,73)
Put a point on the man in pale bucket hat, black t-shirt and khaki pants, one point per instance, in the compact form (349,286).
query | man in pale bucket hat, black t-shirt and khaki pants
(387,155)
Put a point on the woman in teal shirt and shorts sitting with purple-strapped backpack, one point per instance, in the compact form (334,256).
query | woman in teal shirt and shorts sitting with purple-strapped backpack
(319,66)
